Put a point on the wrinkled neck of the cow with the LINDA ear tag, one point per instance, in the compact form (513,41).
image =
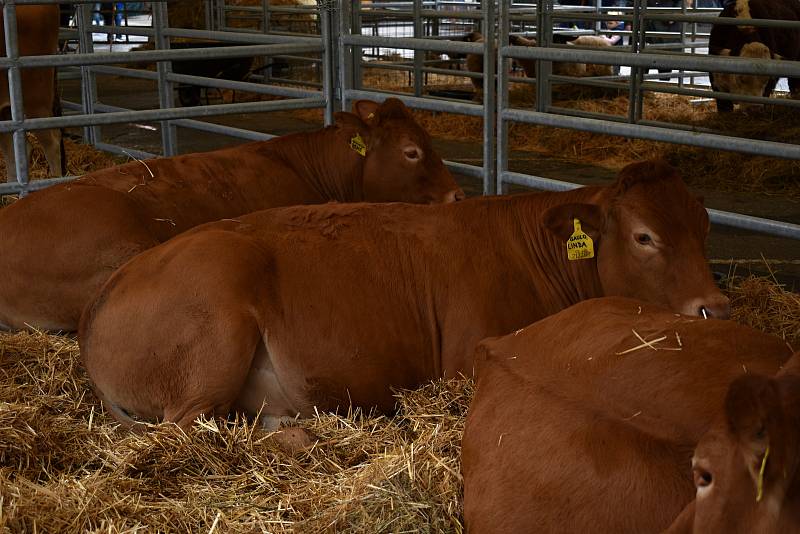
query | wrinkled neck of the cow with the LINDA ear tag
(565,282)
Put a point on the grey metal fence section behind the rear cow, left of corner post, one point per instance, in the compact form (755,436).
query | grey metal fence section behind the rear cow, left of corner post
(91,113)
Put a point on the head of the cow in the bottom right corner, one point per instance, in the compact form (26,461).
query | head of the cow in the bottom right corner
(745,467)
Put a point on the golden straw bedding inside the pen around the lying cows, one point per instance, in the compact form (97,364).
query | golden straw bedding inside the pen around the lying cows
(65,467)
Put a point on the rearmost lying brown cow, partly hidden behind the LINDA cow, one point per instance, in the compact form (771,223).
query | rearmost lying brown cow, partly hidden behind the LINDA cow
(62,243)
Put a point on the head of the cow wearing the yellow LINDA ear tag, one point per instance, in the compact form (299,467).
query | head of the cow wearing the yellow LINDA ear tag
(649,236)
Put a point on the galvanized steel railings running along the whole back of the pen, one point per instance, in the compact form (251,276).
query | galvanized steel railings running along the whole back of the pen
(347,29)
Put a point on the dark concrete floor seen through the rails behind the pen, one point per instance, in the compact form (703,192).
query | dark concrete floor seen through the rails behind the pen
(724,243)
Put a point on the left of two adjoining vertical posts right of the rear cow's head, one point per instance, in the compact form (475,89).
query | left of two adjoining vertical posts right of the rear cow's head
(489,91)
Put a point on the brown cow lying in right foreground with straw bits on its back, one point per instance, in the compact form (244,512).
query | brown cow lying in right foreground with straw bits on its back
(586,422)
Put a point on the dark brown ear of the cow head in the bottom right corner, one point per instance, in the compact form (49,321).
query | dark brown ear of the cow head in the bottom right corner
(752,409)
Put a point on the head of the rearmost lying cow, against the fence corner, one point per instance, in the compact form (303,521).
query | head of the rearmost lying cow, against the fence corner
(400,163)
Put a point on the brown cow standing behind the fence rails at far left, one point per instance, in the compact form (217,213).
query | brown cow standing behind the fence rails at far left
(37,28)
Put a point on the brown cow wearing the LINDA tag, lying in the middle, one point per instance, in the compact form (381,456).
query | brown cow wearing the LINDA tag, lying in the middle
(323,306)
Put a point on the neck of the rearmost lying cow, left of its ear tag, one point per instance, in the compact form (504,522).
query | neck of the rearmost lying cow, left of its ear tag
(325,161)
